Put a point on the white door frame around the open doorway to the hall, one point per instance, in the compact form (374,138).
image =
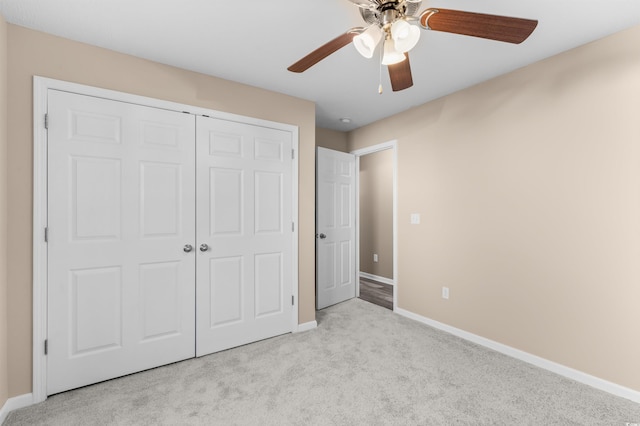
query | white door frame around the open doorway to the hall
(393,145)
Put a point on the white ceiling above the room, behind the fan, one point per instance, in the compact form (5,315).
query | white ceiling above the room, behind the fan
(254,41)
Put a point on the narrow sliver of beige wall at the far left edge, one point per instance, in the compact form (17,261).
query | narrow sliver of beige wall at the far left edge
(4,380)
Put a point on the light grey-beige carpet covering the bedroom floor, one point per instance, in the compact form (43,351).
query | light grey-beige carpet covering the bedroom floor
(363,365)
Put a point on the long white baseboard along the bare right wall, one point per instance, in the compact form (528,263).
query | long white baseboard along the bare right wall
(559,369)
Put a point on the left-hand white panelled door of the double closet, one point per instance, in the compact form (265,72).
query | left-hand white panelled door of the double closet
(121,288)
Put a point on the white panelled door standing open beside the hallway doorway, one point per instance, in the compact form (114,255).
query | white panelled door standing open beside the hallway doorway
(335,227)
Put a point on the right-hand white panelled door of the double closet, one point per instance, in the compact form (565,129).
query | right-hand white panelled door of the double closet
(244,234)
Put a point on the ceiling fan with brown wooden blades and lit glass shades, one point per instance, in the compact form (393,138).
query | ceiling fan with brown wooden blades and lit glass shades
(390,22)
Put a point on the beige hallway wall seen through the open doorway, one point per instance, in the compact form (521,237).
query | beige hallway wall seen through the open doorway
(376,213)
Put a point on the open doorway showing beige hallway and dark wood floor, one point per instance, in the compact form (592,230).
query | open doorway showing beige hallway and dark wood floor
(376,209)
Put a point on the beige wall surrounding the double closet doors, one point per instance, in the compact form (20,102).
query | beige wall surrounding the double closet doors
(34,53)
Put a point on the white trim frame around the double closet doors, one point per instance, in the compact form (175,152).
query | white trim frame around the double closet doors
(41,85)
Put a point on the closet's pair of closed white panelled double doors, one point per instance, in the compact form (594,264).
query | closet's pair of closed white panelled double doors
(169,236)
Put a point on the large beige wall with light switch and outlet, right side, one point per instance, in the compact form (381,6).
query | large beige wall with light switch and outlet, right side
(528,190)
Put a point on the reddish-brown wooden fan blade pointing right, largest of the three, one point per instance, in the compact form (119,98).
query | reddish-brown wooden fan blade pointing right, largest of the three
(493,27)
